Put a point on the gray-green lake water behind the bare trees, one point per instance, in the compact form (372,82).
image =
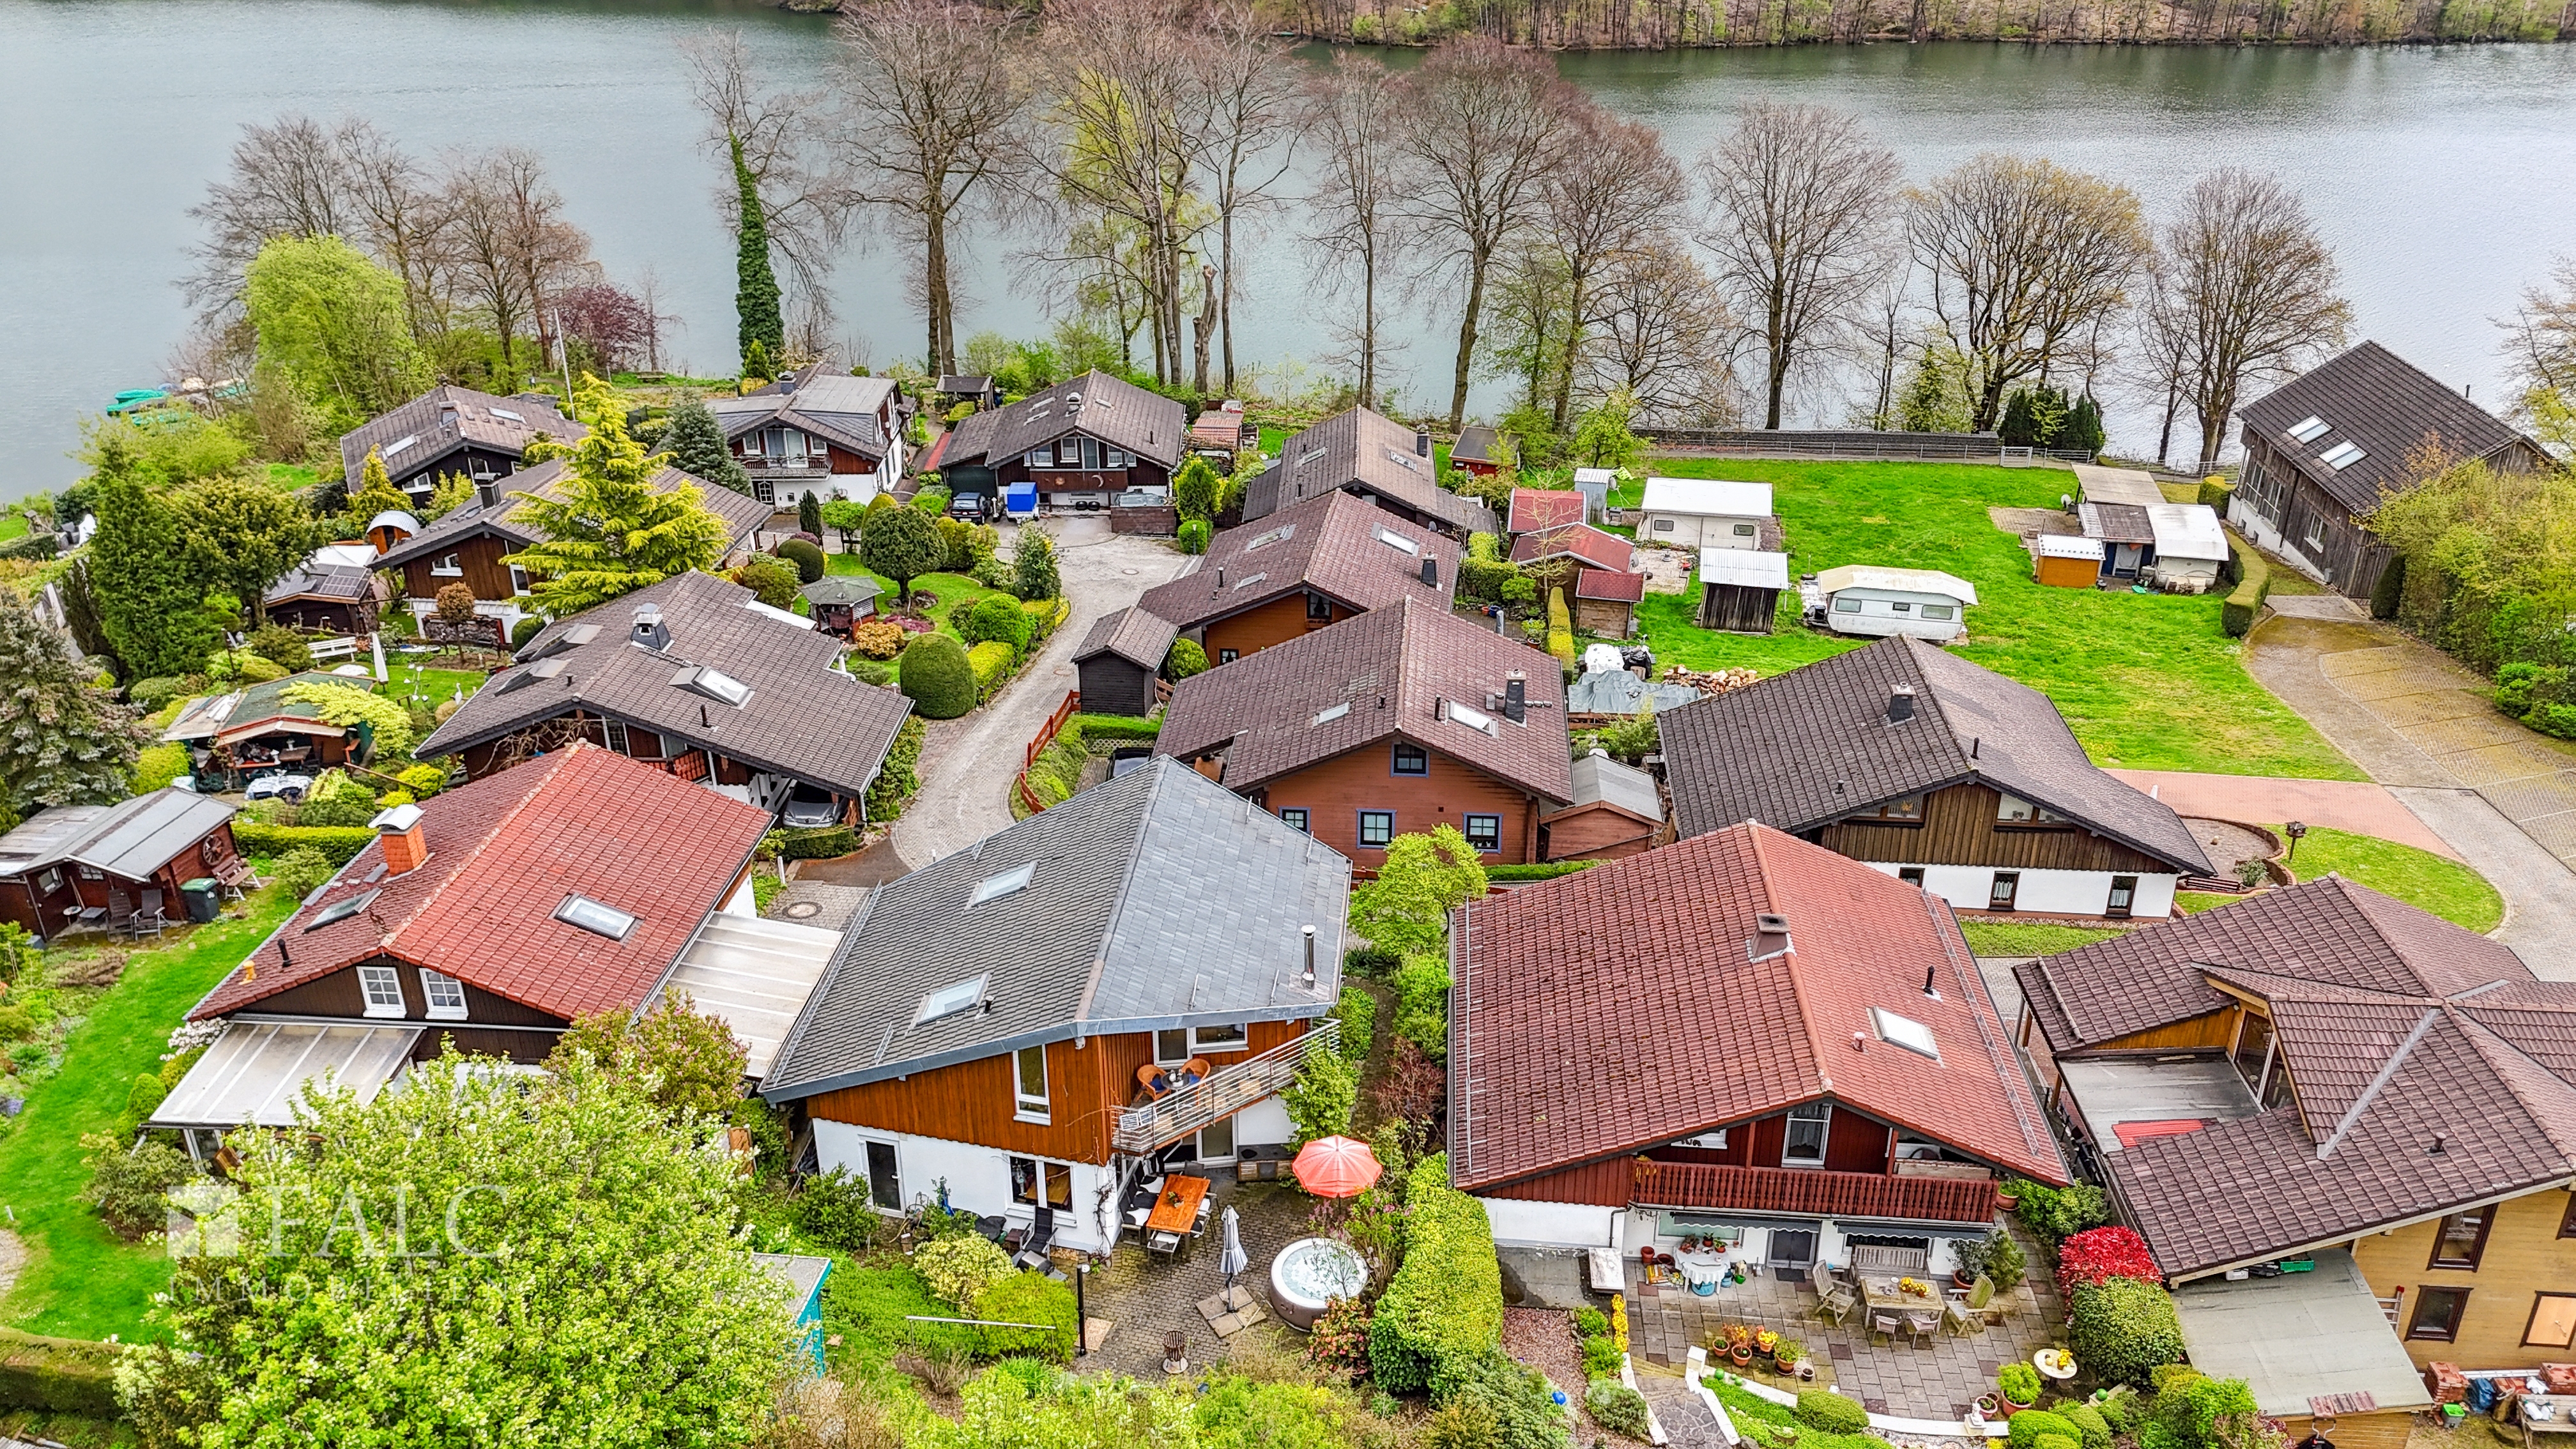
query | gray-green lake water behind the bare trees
(2443,177)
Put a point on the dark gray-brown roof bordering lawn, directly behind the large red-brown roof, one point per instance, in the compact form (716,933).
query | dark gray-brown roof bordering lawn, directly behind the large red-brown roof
(1812,746)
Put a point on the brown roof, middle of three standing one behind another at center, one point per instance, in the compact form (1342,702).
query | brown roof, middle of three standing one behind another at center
(1333,545)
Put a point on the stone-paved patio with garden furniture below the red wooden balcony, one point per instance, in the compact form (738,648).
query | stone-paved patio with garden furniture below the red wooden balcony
(1936,1381)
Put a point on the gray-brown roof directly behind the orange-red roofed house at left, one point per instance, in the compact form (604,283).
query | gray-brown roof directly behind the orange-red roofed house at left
(805,718)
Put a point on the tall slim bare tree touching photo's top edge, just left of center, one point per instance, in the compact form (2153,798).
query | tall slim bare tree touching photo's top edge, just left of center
(1251,89)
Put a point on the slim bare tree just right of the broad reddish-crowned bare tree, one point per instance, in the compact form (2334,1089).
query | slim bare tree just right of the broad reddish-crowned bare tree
(1611,195)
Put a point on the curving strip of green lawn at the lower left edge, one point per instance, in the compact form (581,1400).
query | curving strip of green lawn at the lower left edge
(81,1280)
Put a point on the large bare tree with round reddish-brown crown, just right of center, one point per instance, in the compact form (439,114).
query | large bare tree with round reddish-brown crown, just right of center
(1485,128)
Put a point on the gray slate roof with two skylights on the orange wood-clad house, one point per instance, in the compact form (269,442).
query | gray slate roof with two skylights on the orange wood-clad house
(1158,901)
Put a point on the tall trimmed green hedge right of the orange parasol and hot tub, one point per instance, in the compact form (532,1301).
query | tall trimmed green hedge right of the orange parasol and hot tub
(1446,1301)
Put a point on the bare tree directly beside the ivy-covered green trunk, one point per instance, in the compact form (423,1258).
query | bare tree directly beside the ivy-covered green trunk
(784,146)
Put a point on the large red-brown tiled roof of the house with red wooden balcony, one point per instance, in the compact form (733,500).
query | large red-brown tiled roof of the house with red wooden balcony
(1552,984)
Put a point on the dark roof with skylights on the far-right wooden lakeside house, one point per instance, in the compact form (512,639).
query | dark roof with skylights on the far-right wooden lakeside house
(2384,406)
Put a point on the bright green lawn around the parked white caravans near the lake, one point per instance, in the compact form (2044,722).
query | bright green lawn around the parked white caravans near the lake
(2145,679)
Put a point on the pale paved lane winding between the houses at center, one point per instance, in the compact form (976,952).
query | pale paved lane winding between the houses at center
(967,764)
